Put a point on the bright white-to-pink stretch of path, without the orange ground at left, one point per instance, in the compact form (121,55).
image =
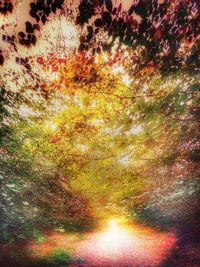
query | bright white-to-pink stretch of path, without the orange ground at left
(131,246)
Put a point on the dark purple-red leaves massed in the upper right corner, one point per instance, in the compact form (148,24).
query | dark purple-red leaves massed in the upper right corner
(161,35)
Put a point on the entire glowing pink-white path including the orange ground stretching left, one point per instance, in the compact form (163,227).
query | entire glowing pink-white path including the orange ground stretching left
(133,246)
